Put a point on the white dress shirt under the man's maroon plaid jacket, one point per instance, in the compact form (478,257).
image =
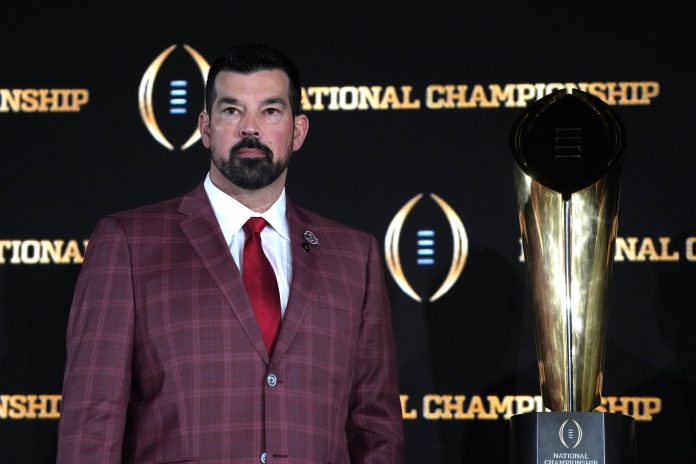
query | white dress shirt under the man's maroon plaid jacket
(232,215)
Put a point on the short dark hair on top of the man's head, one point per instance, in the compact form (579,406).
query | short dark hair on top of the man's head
(250,58)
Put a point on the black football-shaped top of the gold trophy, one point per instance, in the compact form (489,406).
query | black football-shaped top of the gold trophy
(568,141)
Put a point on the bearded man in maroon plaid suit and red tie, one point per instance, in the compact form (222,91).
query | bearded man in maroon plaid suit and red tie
(179,352)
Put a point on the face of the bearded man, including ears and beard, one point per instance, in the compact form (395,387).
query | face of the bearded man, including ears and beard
(250,131)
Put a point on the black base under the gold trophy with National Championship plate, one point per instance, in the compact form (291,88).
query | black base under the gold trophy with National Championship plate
(572,438)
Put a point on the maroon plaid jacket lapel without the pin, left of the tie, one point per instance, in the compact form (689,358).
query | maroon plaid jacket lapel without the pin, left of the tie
(203,232)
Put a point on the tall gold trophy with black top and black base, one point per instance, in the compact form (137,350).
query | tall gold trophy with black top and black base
(568,149)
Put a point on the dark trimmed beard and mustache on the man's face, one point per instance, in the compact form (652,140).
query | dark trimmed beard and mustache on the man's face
(252,173)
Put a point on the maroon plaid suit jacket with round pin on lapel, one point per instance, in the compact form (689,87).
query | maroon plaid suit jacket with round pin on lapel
(166,362)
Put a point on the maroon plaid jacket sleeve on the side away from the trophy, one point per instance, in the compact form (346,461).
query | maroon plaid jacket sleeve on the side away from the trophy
(96,385)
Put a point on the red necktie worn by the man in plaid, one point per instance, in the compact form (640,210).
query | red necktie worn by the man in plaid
(260,282)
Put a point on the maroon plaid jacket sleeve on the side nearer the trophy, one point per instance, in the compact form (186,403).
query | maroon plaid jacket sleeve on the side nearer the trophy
(375,428)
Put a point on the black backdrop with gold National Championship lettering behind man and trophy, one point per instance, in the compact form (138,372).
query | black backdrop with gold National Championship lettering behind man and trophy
(62,170)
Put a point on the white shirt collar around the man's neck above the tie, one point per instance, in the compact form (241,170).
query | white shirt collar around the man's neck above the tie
(232,215)
